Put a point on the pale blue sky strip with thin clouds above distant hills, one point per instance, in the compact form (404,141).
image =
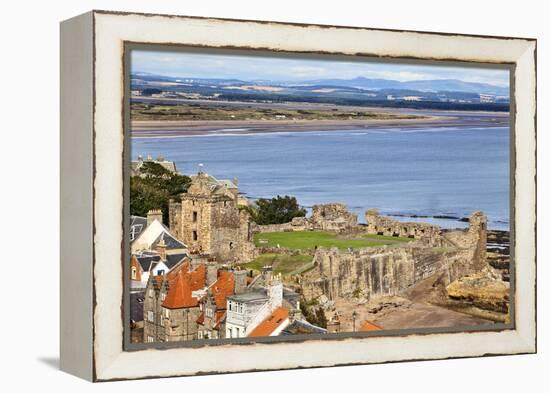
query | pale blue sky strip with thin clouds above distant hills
(200,65)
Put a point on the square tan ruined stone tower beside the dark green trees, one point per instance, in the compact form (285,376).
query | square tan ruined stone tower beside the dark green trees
(208,219)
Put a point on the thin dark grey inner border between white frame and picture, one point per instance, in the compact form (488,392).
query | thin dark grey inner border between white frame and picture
(128,346)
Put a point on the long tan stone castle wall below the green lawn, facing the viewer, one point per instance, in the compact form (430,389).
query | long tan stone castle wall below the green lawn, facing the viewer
(382,271)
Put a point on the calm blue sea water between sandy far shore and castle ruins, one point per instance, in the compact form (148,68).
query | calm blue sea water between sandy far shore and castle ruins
(421,171)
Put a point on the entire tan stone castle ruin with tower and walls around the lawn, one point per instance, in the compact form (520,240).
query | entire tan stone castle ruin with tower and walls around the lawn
(209,221)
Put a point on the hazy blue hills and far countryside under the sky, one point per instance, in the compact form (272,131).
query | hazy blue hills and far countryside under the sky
(435,94)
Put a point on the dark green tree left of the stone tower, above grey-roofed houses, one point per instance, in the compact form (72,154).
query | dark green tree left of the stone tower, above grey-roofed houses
(153,189)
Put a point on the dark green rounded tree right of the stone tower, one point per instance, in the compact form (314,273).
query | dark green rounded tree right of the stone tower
(277,210)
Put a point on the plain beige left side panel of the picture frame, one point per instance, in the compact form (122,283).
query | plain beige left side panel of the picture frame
(76,196)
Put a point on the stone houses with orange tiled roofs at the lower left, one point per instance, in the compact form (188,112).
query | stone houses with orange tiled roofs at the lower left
(190,301)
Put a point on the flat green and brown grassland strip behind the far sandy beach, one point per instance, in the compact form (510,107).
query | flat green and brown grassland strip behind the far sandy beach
(183,112)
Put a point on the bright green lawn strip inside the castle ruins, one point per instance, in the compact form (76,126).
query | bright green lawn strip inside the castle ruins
(310,239)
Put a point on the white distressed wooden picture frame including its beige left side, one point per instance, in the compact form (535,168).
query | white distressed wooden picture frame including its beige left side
(92,195)
